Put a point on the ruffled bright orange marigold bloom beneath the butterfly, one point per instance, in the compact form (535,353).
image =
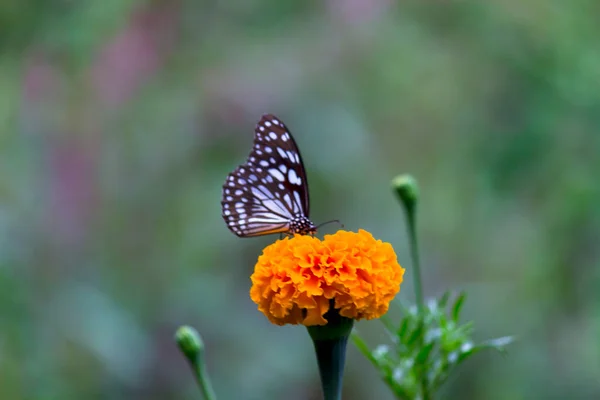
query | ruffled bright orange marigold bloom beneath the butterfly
(296,279)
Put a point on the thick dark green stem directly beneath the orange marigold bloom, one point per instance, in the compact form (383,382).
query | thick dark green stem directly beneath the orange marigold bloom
(330,342)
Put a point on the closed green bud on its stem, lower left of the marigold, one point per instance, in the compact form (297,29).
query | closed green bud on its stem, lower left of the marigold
(191,345)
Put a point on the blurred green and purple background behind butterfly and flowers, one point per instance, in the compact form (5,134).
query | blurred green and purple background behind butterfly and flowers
(120,119)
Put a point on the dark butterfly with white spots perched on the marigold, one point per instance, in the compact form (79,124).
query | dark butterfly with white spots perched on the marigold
(269,193)
